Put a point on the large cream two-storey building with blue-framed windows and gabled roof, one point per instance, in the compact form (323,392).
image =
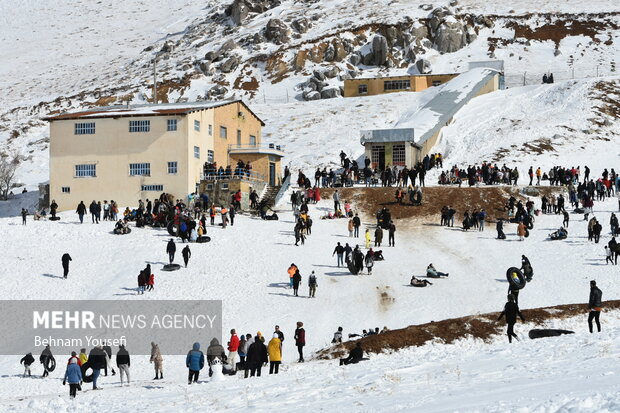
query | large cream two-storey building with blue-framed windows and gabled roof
(127,153)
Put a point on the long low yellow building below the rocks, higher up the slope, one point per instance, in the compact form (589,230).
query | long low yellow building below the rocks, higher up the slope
(380,85)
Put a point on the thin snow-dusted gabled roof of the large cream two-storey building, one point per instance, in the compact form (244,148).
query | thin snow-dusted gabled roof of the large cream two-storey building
(161,109)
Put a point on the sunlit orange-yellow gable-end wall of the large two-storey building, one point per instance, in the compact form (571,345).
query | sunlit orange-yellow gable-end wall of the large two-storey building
(228,117)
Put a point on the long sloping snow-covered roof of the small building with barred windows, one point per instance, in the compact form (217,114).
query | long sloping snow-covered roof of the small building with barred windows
(433,116)
